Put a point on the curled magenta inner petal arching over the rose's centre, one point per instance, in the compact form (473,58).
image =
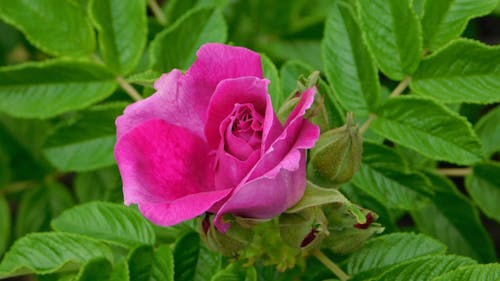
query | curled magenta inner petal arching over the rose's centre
(228,93)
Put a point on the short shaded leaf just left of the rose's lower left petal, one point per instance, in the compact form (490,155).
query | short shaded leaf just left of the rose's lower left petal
(108,180)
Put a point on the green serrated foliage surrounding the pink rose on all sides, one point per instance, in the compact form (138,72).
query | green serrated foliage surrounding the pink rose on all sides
(68,68)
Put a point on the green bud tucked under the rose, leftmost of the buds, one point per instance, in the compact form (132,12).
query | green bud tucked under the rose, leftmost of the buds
(229,243)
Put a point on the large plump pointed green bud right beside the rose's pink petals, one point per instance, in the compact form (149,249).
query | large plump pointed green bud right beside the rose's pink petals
(337,155)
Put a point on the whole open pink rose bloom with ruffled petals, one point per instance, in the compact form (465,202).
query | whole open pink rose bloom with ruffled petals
(209,141)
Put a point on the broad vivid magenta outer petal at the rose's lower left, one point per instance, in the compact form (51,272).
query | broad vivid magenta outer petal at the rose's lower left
(163,164)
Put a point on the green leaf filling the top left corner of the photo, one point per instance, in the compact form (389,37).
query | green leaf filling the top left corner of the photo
(57,27)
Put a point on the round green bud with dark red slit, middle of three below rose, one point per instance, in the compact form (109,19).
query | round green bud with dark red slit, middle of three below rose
(305,229)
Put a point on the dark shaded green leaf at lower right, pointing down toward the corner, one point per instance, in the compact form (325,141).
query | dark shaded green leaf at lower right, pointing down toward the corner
(451,218)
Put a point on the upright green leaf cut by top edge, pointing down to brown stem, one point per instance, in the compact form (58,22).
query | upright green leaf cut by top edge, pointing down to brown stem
(122,30)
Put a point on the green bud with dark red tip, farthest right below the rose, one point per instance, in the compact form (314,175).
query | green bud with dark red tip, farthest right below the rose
(348,231)
